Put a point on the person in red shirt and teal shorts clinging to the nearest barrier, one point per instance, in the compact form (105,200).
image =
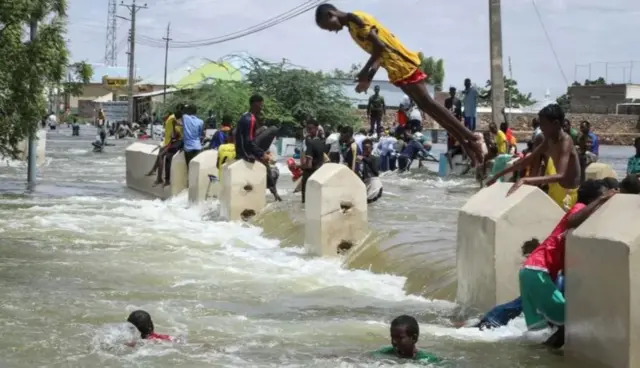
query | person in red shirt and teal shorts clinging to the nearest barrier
(542,302)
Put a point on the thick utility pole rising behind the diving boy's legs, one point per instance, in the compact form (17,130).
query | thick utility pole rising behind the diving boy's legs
(497,72)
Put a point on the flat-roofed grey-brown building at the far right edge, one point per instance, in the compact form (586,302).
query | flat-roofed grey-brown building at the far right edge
(606,99)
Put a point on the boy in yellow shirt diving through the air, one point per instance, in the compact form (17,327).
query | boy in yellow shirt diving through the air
(402,66)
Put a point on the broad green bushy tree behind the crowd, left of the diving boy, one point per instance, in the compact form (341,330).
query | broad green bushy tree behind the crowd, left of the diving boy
(291,96)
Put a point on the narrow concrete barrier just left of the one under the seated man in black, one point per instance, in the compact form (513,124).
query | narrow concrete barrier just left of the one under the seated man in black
(200,167)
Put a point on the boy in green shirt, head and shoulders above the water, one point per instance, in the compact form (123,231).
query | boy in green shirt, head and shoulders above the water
(404,336)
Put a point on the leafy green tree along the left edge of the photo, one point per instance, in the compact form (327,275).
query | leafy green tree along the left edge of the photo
(27,67)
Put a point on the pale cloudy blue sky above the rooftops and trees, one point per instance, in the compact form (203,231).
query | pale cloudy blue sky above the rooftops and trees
(582,32)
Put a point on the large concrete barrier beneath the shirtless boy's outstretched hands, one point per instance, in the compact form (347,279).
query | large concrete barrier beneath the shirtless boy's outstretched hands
(491,230)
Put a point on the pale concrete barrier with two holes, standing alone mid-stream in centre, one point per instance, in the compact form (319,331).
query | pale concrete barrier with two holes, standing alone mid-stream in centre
(335,210)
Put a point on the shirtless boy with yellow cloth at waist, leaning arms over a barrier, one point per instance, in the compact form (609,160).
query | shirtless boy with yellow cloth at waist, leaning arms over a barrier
(556,145)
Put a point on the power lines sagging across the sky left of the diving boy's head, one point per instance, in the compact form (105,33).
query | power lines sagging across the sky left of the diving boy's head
(283,17)
